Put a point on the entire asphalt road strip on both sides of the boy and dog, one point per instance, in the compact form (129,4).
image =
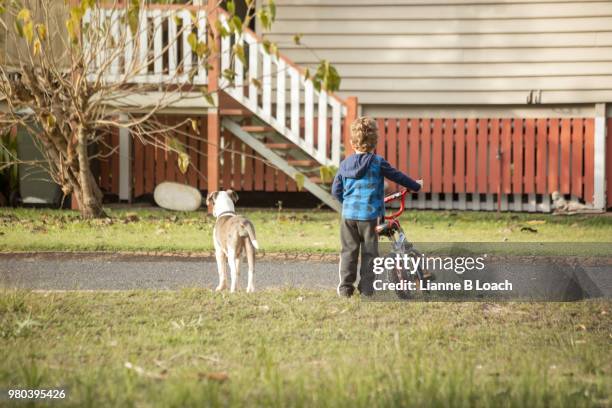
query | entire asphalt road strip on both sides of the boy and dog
(532,277)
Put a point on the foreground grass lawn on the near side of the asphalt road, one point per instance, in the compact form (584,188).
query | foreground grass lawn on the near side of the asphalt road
(303,348)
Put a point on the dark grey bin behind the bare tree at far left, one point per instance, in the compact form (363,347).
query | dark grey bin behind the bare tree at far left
(35,184)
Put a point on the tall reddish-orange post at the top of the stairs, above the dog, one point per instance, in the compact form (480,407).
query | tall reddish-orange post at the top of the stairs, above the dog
(214,126)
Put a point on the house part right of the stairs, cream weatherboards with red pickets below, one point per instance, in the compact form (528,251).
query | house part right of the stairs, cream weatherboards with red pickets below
(503,96)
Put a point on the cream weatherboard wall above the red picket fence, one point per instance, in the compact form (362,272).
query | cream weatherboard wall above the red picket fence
(446,52)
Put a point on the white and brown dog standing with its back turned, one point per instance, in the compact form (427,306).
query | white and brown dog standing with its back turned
(232,234)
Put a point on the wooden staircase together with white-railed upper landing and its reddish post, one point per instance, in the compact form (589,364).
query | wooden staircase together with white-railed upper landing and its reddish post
(271,104)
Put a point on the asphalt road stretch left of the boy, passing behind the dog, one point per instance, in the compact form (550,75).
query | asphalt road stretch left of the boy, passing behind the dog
(110,272)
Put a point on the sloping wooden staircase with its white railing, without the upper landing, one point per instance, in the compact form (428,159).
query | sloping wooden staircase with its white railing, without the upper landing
(277,111)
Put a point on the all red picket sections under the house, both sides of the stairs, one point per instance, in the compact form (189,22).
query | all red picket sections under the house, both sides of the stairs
(486,156)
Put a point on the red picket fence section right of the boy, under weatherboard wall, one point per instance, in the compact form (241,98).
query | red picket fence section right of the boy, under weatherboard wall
(487,156)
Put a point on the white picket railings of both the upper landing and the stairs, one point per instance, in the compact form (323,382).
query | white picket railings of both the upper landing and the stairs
(269,85)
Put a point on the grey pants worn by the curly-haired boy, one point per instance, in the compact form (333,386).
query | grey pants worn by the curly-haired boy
(357,237)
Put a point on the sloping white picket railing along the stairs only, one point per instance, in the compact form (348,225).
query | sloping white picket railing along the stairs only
(280,94)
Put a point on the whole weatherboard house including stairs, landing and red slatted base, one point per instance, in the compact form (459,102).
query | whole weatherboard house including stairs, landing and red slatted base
(495,104)
